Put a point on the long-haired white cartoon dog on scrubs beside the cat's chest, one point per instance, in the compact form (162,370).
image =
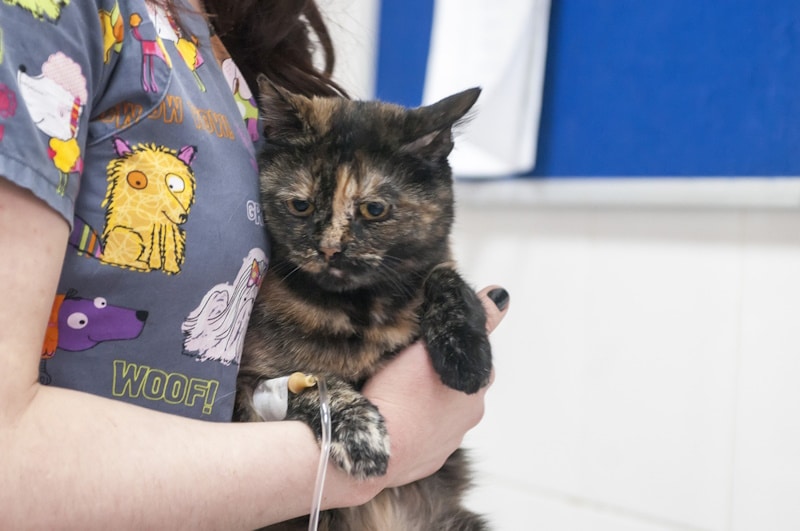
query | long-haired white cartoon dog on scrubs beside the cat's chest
(215,329)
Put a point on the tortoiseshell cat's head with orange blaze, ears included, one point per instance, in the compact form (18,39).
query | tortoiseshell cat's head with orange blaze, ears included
(357,193)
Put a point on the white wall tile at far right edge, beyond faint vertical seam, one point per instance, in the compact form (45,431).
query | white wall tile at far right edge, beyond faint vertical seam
(766,493)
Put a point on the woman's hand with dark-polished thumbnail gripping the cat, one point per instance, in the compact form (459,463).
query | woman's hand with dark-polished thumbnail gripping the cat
(426,419)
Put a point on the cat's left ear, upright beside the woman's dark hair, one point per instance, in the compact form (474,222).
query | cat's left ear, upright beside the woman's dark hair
(282,113)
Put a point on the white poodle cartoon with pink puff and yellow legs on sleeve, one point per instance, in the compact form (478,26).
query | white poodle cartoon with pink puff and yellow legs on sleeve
(55,100)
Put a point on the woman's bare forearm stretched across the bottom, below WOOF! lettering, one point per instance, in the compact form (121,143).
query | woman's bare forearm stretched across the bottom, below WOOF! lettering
(78,461)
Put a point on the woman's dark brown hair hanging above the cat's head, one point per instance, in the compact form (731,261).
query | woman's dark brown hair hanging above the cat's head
(277,38)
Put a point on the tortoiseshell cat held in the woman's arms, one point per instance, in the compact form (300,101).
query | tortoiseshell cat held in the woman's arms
(359,202)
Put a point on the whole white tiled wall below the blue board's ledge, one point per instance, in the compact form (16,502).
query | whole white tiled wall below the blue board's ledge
(648,372)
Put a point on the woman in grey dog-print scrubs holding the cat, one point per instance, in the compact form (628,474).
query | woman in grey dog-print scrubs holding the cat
(129,225)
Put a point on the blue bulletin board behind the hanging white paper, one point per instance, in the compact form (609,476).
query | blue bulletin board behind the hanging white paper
(633,88)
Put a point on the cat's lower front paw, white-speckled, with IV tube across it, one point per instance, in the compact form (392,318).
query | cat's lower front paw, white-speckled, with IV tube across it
(359,440)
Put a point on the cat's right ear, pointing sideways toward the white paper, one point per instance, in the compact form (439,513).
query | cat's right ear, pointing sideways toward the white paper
(432,129)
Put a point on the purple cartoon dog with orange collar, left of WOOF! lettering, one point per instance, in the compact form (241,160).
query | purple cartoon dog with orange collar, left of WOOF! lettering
(78,324)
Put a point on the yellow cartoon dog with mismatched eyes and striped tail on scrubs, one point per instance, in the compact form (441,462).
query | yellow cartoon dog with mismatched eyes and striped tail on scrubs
(150,191)
